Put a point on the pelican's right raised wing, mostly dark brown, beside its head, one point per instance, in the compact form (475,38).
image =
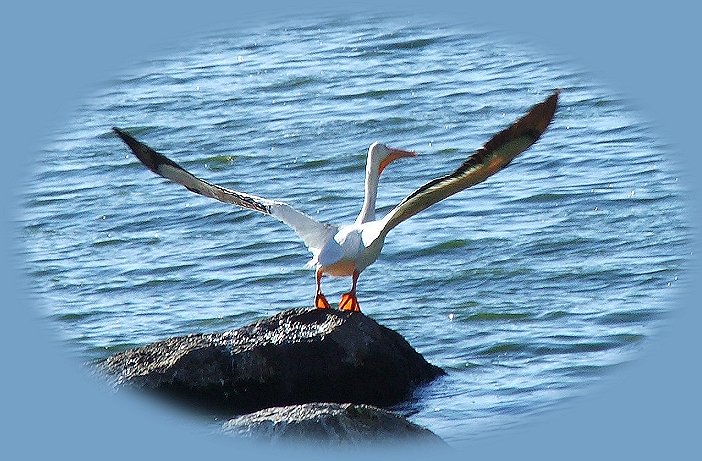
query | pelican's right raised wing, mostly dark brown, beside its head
(486,161)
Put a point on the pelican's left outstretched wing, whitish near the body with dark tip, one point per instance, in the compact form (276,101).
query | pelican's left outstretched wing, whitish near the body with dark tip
(312,232)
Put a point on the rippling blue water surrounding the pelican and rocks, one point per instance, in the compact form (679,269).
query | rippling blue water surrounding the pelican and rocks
(528,289)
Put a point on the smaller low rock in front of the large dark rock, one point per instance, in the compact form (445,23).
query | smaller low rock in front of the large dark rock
(329,424)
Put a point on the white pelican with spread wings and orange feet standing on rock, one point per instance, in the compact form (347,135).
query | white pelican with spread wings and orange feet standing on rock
(345,251)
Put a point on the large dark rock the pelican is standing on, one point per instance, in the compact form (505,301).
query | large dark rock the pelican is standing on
(297,356)
